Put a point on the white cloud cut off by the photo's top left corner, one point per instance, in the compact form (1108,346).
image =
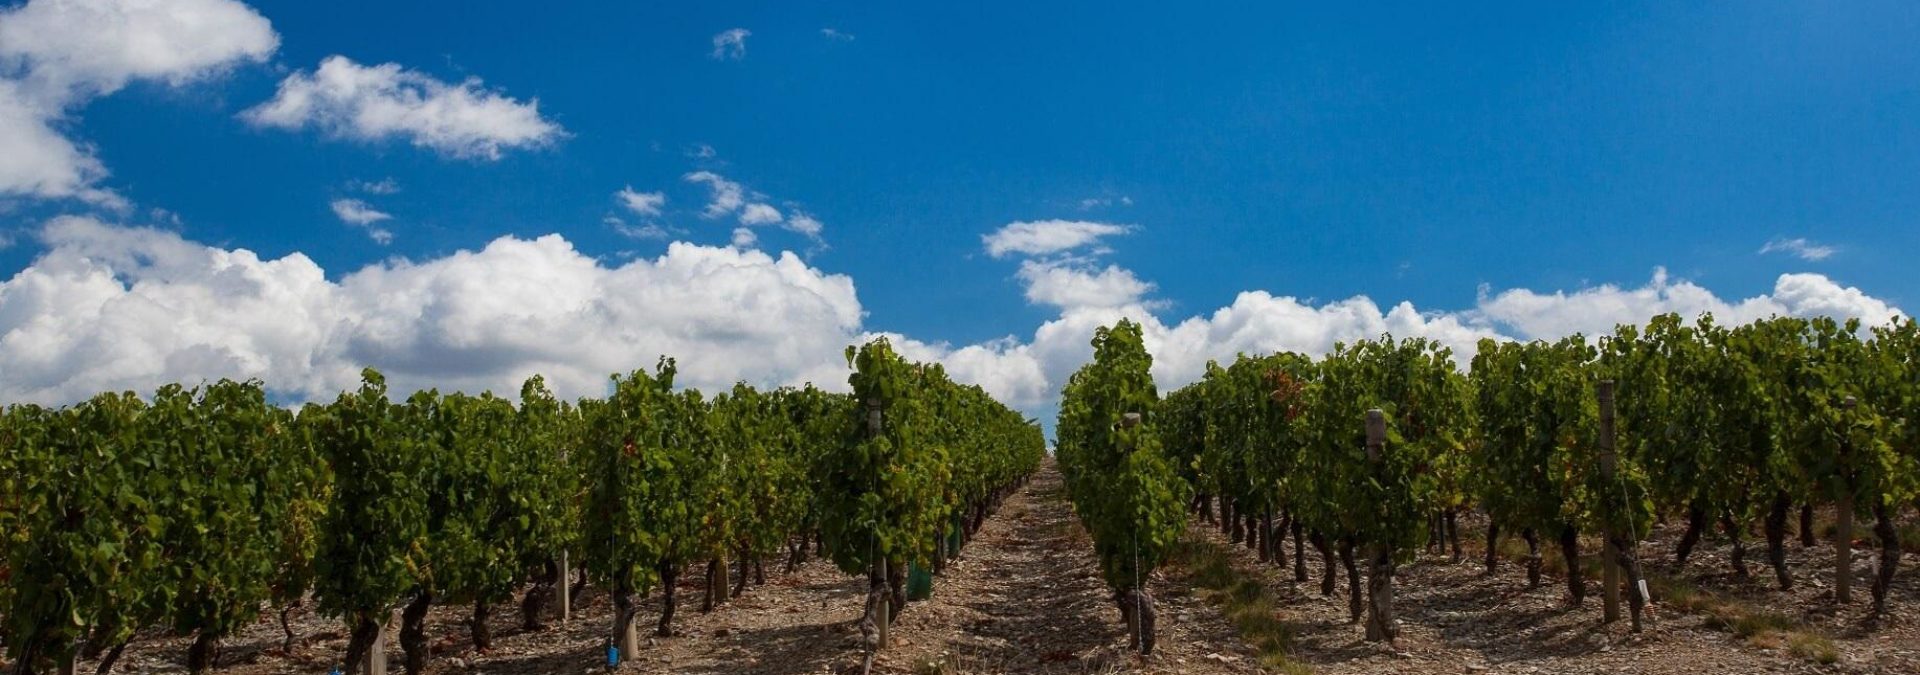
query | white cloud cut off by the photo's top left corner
(59,55)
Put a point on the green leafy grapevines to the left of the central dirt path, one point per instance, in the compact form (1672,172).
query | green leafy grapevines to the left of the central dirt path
(201,509)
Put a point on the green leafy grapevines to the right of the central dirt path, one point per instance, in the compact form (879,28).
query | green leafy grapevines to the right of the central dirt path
(1558,440)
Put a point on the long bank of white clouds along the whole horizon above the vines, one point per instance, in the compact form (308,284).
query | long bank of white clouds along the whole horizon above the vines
(110,308)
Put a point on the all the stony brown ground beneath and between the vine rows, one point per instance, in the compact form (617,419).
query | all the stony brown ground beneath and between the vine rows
(1026,599)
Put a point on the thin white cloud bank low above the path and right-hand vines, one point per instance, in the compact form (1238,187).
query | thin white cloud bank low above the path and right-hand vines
(1032,373)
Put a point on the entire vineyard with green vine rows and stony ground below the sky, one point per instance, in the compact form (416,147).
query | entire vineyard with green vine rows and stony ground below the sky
(201,513)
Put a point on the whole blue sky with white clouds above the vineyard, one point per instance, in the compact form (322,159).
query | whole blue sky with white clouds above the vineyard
(1508,170)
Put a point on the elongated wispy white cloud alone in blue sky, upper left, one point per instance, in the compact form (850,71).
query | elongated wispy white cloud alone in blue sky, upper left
(377,103)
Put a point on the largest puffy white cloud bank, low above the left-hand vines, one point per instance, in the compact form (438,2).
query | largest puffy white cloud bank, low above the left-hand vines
(112,308)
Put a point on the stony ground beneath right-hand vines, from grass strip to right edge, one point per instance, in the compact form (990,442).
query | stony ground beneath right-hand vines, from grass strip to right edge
(1454,618)
